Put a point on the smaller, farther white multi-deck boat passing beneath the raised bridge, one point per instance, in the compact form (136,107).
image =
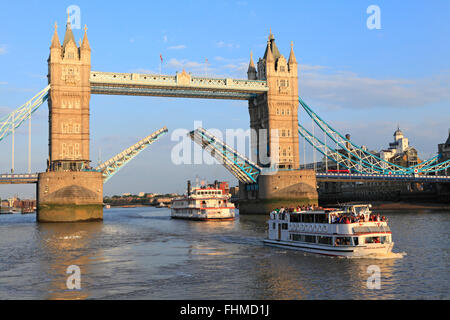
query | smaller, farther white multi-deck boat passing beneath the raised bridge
(203,203)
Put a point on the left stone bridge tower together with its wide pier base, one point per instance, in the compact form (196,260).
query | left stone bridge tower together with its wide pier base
(69,191)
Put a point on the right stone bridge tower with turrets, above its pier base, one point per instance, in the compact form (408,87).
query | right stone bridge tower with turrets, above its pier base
(276,111)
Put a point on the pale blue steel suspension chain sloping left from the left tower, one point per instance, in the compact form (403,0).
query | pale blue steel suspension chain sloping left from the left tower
(13,120)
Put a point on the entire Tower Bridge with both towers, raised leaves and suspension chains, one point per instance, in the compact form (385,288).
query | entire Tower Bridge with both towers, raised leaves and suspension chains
(71,190)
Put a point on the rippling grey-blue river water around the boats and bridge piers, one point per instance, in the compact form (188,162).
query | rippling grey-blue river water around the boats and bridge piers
(140,253)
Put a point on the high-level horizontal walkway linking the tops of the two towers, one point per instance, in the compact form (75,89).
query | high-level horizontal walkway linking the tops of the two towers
(181,85)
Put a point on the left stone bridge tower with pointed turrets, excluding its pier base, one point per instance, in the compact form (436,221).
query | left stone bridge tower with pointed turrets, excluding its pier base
(69,68)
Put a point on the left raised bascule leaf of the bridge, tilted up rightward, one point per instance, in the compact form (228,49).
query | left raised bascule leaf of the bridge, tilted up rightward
(113,165)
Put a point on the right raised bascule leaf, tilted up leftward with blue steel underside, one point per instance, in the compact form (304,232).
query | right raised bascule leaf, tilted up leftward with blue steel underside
(241,167)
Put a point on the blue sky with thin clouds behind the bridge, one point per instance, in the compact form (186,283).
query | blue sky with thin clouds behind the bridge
(362,81)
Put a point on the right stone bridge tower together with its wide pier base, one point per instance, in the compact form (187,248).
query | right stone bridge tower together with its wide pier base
(270,113)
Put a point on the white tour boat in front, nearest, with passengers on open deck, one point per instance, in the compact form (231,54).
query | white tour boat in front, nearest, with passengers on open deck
(351,231)
